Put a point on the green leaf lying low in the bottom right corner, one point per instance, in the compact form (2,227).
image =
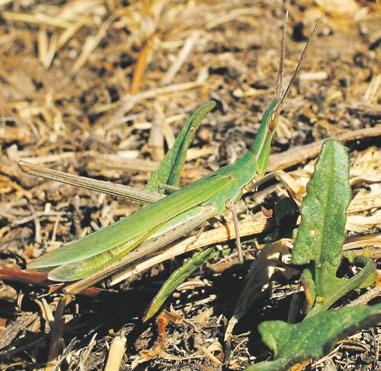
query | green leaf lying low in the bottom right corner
(313,337)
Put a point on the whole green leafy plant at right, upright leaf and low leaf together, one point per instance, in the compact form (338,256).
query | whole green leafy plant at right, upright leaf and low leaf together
(318,247)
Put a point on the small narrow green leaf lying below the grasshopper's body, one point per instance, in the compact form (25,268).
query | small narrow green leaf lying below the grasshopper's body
(178,277)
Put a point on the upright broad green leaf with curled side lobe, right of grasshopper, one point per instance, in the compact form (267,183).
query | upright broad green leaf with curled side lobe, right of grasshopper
(322,230)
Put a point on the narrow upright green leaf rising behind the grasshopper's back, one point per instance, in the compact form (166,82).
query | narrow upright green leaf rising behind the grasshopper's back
(168,172)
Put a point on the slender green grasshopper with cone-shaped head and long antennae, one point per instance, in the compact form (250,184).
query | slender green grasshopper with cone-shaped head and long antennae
(167,217)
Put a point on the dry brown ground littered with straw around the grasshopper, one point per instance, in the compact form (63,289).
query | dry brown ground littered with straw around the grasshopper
(100,89)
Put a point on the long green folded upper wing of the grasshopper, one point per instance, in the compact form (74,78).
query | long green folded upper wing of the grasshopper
(137,227)
